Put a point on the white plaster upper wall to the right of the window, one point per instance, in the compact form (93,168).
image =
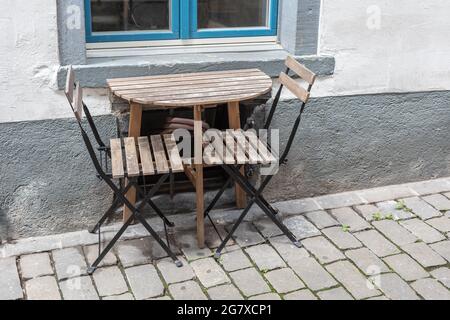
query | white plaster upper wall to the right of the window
(408,51)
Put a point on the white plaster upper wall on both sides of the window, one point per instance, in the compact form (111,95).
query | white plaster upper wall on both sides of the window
(410,51)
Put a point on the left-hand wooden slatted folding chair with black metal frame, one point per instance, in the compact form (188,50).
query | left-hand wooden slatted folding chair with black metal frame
(156,155)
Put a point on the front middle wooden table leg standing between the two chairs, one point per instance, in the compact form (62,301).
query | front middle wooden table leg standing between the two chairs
(198,165)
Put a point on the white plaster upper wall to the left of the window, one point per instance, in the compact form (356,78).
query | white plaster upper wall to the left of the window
(29,61)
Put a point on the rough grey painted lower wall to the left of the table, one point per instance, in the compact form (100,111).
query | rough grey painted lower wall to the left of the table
(47,183)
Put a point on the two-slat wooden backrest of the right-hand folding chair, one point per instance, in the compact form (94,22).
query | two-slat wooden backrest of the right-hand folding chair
(292,85)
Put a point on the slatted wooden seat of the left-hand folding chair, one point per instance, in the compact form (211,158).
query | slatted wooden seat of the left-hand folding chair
(145,156)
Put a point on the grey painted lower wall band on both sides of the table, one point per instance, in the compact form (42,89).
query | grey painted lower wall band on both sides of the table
(49,186)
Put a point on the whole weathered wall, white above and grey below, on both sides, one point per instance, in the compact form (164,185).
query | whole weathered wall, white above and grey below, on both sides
(356,132)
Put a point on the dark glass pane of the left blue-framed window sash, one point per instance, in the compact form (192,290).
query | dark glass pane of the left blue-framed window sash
(130,15)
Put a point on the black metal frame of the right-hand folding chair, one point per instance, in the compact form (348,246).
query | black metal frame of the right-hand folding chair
(256,194)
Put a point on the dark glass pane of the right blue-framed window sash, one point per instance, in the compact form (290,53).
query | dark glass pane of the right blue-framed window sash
(232,13)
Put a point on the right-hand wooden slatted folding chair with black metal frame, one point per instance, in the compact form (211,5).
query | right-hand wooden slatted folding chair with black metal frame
(238,148)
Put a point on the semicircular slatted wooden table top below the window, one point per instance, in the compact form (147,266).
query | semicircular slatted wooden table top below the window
(192,89)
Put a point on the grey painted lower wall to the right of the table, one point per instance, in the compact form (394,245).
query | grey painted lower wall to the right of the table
(354,142)
